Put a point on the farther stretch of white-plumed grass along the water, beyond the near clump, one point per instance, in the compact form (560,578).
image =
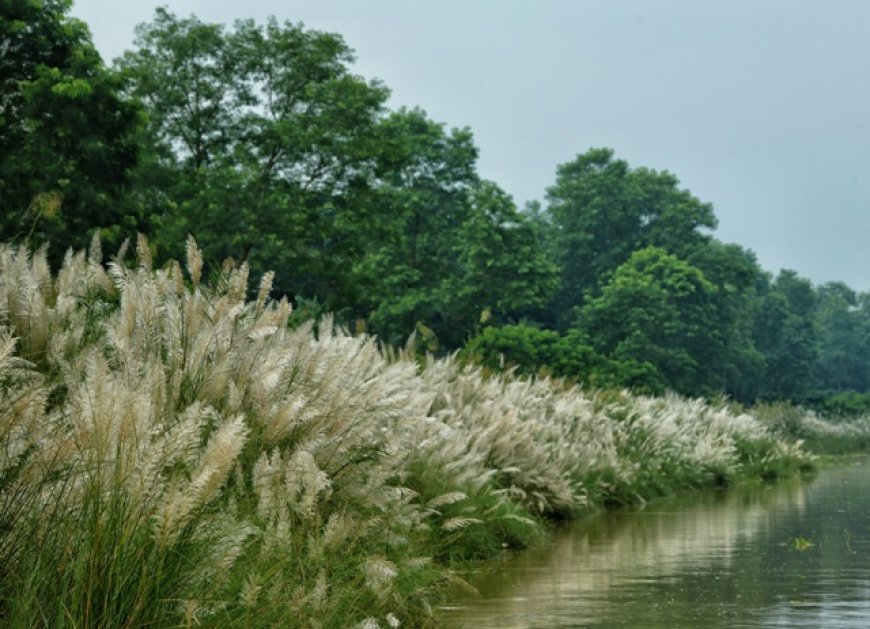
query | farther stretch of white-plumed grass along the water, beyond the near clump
(553,445)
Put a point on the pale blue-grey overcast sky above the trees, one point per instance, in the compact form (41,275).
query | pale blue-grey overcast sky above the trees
(760,107)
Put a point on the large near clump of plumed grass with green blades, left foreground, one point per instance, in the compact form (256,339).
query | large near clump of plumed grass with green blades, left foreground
(187,458)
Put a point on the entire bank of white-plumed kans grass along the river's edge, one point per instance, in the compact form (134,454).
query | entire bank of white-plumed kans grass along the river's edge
(174,454)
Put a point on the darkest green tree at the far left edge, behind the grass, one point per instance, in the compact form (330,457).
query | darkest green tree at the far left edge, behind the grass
(68,139)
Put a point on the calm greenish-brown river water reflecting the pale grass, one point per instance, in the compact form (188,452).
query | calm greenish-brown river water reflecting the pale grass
(791,554)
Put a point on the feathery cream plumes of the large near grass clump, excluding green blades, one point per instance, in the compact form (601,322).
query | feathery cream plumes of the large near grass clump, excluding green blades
(180,389)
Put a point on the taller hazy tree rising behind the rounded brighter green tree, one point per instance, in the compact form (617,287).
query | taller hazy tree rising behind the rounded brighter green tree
(602,211)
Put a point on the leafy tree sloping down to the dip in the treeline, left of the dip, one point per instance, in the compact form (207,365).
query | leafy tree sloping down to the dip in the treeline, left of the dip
(453,252)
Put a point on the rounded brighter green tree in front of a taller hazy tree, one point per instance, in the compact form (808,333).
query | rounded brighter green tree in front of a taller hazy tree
(657,309)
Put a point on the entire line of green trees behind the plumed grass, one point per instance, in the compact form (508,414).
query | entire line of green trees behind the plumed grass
(261,142)
